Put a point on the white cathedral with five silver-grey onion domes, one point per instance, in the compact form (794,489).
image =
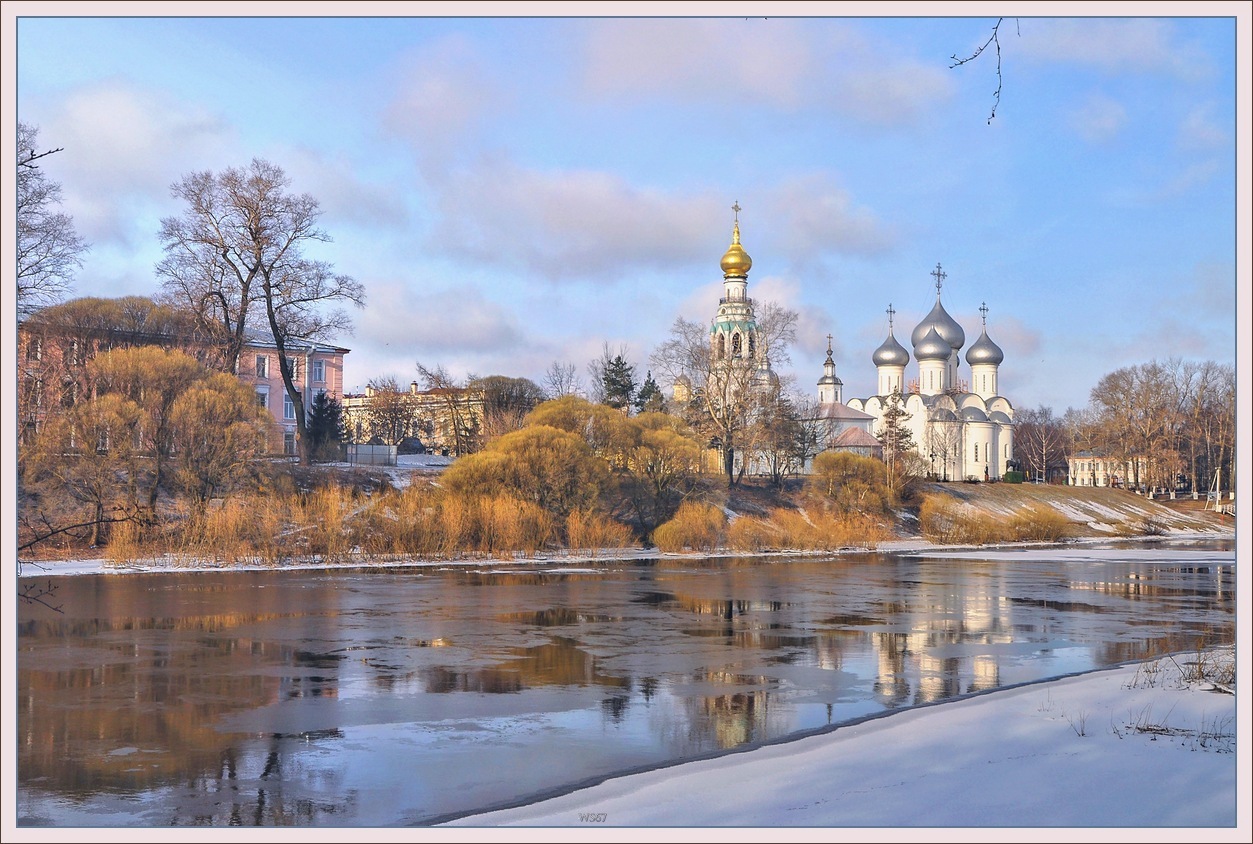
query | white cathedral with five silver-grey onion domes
(963,429)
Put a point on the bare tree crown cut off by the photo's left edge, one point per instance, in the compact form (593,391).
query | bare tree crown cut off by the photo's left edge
(48,247)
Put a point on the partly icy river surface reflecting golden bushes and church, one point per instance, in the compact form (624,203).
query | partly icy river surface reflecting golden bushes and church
(147,689)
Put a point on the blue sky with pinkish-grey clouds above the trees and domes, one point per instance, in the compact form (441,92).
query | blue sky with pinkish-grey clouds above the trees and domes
(514,192)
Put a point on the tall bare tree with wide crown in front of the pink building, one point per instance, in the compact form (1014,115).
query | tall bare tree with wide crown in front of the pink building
(236,252)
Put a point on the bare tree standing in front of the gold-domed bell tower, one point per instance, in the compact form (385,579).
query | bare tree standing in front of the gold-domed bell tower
(725,388)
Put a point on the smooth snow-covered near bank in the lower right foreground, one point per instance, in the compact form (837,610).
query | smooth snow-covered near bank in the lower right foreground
(1136,747)
